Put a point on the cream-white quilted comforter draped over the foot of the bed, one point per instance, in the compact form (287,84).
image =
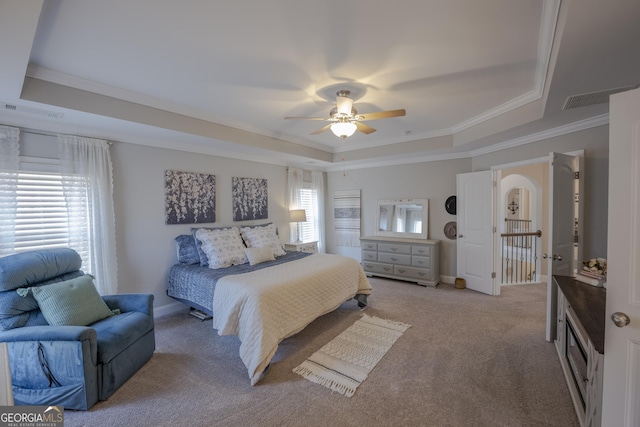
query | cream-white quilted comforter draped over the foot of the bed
(266,306)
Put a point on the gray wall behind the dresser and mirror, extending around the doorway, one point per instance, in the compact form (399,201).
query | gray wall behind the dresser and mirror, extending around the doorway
(437,181)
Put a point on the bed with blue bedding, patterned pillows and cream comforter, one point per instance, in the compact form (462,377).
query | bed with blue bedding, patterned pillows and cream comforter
(263,302)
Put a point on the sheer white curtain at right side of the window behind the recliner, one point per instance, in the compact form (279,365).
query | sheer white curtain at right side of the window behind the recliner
(85,166)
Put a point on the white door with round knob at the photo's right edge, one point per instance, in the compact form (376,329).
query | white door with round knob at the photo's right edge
(621,399)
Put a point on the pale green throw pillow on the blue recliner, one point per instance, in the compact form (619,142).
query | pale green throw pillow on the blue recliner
(72,302)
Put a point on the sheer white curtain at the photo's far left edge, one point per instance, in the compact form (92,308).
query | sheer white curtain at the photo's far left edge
(9,165)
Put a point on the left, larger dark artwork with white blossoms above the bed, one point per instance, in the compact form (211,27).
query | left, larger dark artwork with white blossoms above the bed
(189,197)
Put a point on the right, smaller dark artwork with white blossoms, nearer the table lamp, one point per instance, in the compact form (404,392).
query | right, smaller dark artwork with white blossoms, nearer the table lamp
(250,199)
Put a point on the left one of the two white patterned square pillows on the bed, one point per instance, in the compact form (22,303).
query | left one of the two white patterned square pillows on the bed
(223,248)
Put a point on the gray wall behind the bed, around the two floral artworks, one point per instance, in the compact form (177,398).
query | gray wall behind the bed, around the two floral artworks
(145,244)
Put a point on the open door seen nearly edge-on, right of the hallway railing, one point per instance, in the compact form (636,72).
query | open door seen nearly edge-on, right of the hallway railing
(561,223)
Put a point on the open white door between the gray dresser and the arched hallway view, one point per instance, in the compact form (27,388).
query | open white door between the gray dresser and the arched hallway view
(475,230)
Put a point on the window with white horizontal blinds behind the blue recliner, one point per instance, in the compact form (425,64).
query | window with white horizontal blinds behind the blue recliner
(42,218)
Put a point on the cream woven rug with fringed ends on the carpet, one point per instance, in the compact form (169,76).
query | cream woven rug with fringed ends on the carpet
(345,362)
